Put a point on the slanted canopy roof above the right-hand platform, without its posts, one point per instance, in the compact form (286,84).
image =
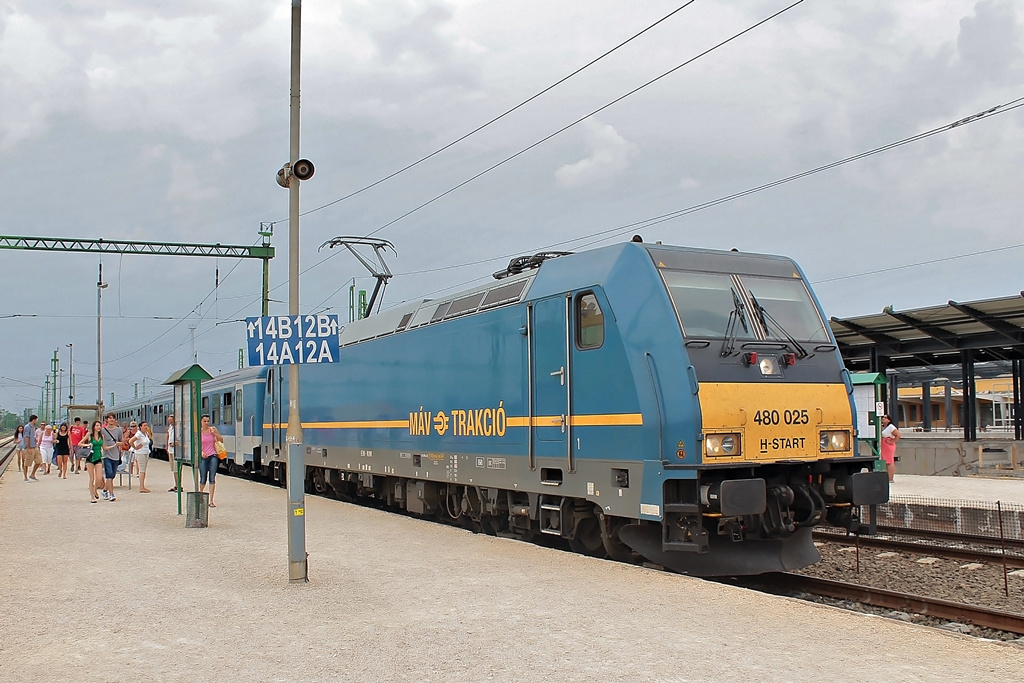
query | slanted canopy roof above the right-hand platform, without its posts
(932,344)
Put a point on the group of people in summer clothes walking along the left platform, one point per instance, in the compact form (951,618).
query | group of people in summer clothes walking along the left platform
(106,450)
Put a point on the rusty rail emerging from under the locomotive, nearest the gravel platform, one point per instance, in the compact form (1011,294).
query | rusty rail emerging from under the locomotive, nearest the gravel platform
(934,608)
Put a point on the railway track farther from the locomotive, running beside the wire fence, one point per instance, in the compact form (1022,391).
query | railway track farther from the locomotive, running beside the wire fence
(954,547)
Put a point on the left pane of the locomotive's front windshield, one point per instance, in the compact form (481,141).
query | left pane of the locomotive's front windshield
(704,303)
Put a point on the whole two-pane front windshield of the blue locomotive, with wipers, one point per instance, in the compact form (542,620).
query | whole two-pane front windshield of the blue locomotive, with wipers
(704,303)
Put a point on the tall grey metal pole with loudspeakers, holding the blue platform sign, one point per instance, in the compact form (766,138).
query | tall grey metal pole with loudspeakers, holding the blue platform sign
(296,465)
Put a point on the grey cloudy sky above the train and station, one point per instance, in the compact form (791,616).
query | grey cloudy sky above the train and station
(168,120)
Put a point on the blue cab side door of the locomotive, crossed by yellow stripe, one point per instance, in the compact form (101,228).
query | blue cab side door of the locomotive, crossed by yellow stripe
(551,408)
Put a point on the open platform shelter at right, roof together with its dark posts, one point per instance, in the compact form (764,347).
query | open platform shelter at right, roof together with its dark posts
(953,345)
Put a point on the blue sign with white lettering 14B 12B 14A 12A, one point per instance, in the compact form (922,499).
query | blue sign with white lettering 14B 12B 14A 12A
(283,340)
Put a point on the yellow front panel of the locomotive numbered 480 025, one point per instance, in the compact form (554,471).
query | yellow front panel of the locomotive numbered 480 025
(775,422)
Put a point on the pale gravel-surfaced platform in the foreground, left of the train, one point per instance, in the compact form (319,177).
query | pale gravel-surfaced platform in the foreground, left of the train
(122,591)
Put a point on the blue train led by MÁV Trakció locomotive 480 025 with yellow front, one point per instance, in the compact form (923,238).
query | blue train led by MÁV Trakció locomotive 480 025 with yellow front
(641,402)
